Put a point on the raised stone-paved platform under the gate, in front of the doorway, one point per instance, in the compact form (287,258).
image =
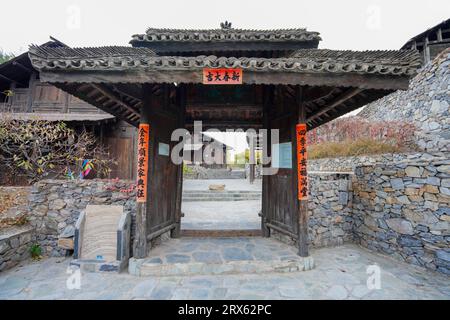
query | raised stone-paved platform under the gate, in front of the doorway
(216,256)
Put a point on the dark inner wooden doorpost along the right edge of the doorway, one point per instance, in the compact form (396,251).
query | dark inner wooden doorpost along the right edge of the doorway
(267,103)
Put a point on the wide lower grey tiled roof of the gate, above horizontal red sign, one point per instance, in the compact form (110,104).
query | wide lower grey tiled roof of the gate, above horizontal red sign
(306,60)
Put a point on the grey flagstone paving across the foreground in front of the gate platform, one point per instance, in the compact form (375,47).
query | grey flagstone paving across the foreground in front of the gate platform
(341,273)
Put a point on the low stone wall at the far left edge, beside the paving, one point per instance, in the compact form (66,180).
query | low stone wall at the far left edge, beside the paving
(15,244)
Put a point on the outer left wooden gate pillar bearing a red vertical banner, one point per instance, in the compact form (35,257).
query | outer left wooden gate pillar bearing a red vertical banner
(143,170)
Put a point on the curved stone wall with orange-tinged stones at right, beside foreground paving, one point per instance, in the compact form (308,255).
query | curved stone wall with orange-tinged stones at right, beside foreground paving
(403,209)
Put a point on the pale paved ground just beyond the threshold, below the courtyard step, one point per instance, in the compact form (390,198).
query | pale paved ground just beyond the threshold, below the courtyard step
(221,215)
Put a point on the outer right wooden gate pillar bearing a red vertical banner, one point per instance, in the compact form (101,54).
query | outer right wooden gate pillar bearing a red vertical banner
(300,173)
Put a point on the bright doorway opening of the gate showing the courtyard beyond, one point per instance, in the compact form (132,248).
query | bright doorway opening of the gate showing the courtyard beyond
(222,194)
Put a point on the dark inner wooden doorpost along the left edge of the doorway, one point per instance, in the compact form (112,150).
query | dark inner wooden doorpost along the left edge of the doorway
(181,102)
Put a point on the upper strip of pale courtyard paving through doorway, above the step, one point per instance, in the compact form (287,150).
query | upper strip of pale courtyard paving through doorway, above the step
(230,184)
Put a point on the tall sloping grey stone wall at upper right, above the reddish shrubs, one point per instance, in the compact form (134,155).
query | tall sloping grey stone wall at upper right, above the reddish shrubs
(426,104)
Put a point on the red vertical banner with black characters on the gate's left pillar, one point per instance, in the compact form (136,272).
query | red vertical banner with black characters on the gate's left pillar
(142,162)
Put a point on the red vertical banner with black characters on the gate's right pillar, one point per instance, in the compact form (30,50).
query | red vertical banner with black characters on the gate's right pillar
(302,176)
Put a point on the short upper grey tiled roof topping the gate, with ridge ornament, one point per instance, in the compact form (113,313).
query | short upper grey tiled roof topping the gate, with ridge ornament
(225,35)
